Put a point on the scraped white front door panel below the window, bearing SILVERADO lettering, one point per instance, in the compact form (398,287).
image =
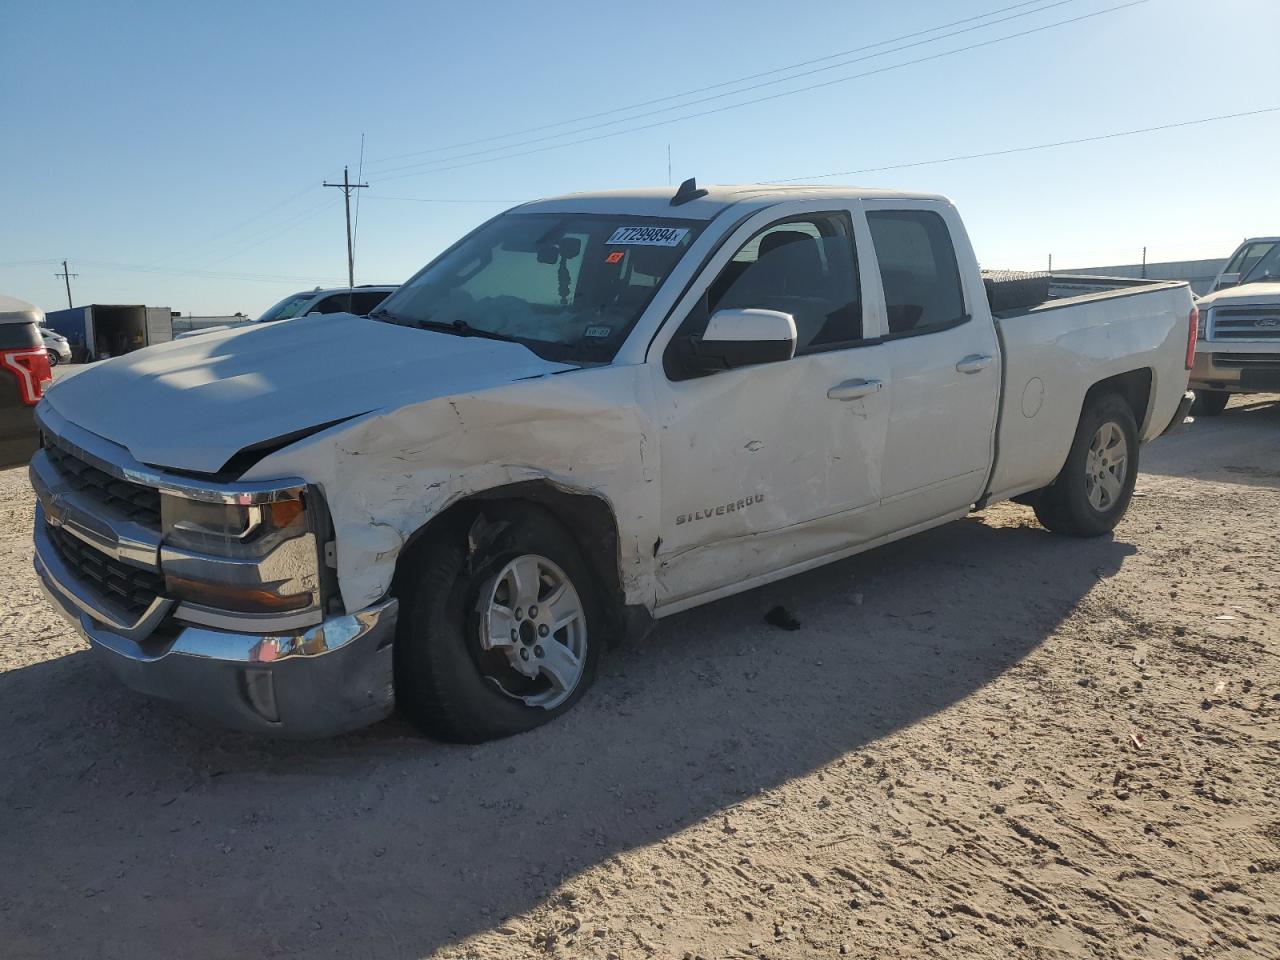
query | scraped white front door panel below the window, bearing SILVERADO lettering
(761,469)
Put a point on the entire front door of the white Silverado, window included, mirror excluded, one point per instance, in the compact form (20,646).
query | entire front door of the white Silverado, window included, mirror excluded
(770,468)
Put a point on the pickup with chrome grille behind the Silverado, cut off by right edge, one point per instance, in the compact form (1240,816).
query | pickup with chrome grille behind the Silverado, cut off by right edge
(1240,340)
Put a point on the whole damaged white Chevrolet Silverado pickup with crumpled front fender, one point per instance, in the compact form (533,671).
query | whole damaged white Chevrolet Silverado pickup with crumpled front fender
(591,413)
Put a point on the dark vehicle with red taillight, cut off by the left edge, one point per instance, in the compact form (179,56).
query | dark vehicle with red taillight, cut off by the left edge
(24,377)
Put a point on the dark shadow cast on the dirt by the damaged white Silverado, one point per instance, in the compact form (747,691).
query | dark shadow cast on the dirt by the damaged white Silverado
(129,833)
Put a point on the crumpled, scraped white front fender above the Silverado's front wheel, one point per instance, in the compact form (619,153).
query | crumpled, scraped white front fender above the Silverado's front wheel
(387,474)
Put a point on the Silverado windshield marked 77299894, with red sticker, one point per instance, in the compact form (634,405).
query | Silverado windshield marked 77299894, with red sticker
(568,286)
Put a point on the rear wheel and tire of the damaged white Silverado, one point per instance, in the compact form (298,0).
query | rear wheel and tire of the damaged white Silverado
(1092,492)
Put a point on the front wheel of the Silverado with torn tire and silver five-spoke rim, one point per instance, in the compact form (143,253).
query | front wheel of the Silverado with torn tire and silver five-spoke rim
(501,628)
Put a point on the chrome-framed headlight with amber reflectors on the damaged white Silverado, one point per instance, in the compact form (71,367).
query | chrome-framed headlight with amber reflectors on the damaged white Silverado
(248,560)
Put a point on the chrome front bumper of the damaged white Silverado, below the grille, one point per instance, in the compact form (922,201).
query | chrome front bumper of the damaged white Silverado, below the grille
(312,683)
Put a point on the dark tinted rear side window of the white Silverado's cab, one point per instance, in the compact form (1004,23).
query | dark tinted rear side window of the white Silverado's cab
(918,269)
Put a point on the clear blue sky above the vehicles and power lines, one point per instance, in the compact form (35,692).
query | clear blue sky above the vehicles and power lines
(193,140)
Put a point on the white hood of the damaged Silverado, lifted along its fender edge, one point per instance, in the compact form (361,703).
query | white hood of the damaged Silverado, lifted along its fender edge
(194,404)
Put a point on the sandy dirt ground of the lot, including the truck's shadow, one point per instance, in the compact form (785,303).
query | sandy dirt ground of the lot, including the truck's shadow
(982,742)
